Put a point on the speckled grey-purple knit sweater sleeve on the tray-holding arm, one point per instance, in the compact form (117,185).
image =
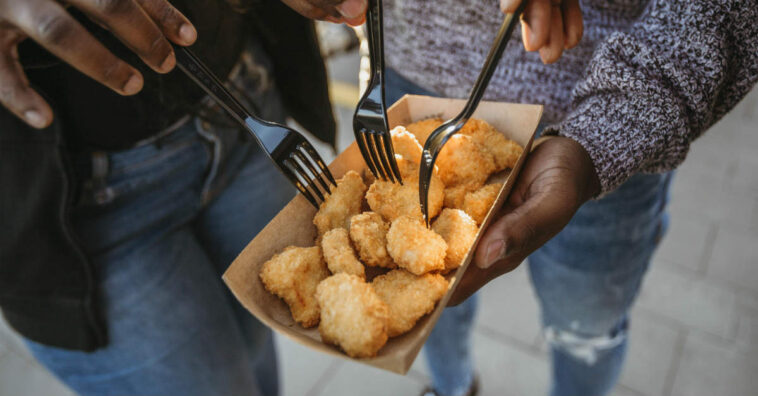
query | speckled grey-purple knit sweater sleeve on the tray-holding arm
(648,92)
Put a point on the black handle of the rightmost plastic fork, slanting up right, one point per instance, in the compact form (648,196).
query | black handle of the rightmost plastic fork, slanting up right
(493,58)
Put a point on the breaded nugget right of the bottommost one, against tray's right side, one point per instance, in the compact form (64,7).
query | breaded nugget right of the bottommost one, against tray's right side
(409,297)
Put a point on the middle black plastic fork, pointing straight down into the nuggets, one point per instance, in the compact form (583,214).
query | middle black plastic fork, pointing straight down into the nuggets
(370,125)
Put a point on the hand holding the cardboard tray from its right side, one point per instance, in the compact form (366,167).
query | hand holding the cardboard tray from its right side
(557,178)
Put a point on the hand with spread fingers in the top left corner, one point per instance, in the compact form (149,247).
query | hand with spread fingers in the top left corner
(145,26)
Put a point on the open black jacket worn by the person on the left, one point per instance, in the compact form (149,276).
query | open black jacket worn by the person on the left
(47,284)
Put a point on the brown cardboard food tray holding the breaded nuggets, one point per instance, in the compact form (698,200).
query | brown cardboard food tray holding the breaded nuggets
(294,226)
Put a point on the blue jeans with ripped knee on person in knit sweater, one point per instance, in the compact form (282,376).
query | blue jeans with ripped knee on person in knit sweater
(586,279)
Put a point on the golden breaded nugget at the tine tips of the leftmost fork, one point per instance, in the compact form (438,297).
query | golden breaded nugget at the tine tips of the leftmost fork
(343,203)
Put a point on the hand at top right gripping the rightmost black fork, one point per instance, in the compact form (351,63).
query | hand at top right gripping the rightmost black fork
(548,26)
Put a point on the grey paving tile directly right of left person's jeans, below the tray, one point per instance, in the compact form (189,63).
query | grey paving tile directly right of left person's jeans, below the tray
(300,368)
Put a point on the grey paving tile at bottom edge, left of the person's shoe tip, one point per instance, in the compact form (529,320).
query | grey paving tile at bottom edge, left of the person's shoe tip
(352,379)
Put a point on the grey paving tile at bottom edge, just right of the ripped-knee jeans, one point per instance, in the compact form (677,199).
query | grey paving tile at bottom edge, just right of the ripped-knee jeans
(651,351)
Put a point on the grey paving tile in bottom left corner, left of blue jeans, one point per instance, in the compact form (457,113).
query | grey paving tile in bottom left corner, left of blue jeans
(19,377)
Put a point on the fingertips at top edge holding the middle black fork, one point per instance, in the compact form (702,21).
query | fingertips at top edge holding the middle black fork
(352,12)
